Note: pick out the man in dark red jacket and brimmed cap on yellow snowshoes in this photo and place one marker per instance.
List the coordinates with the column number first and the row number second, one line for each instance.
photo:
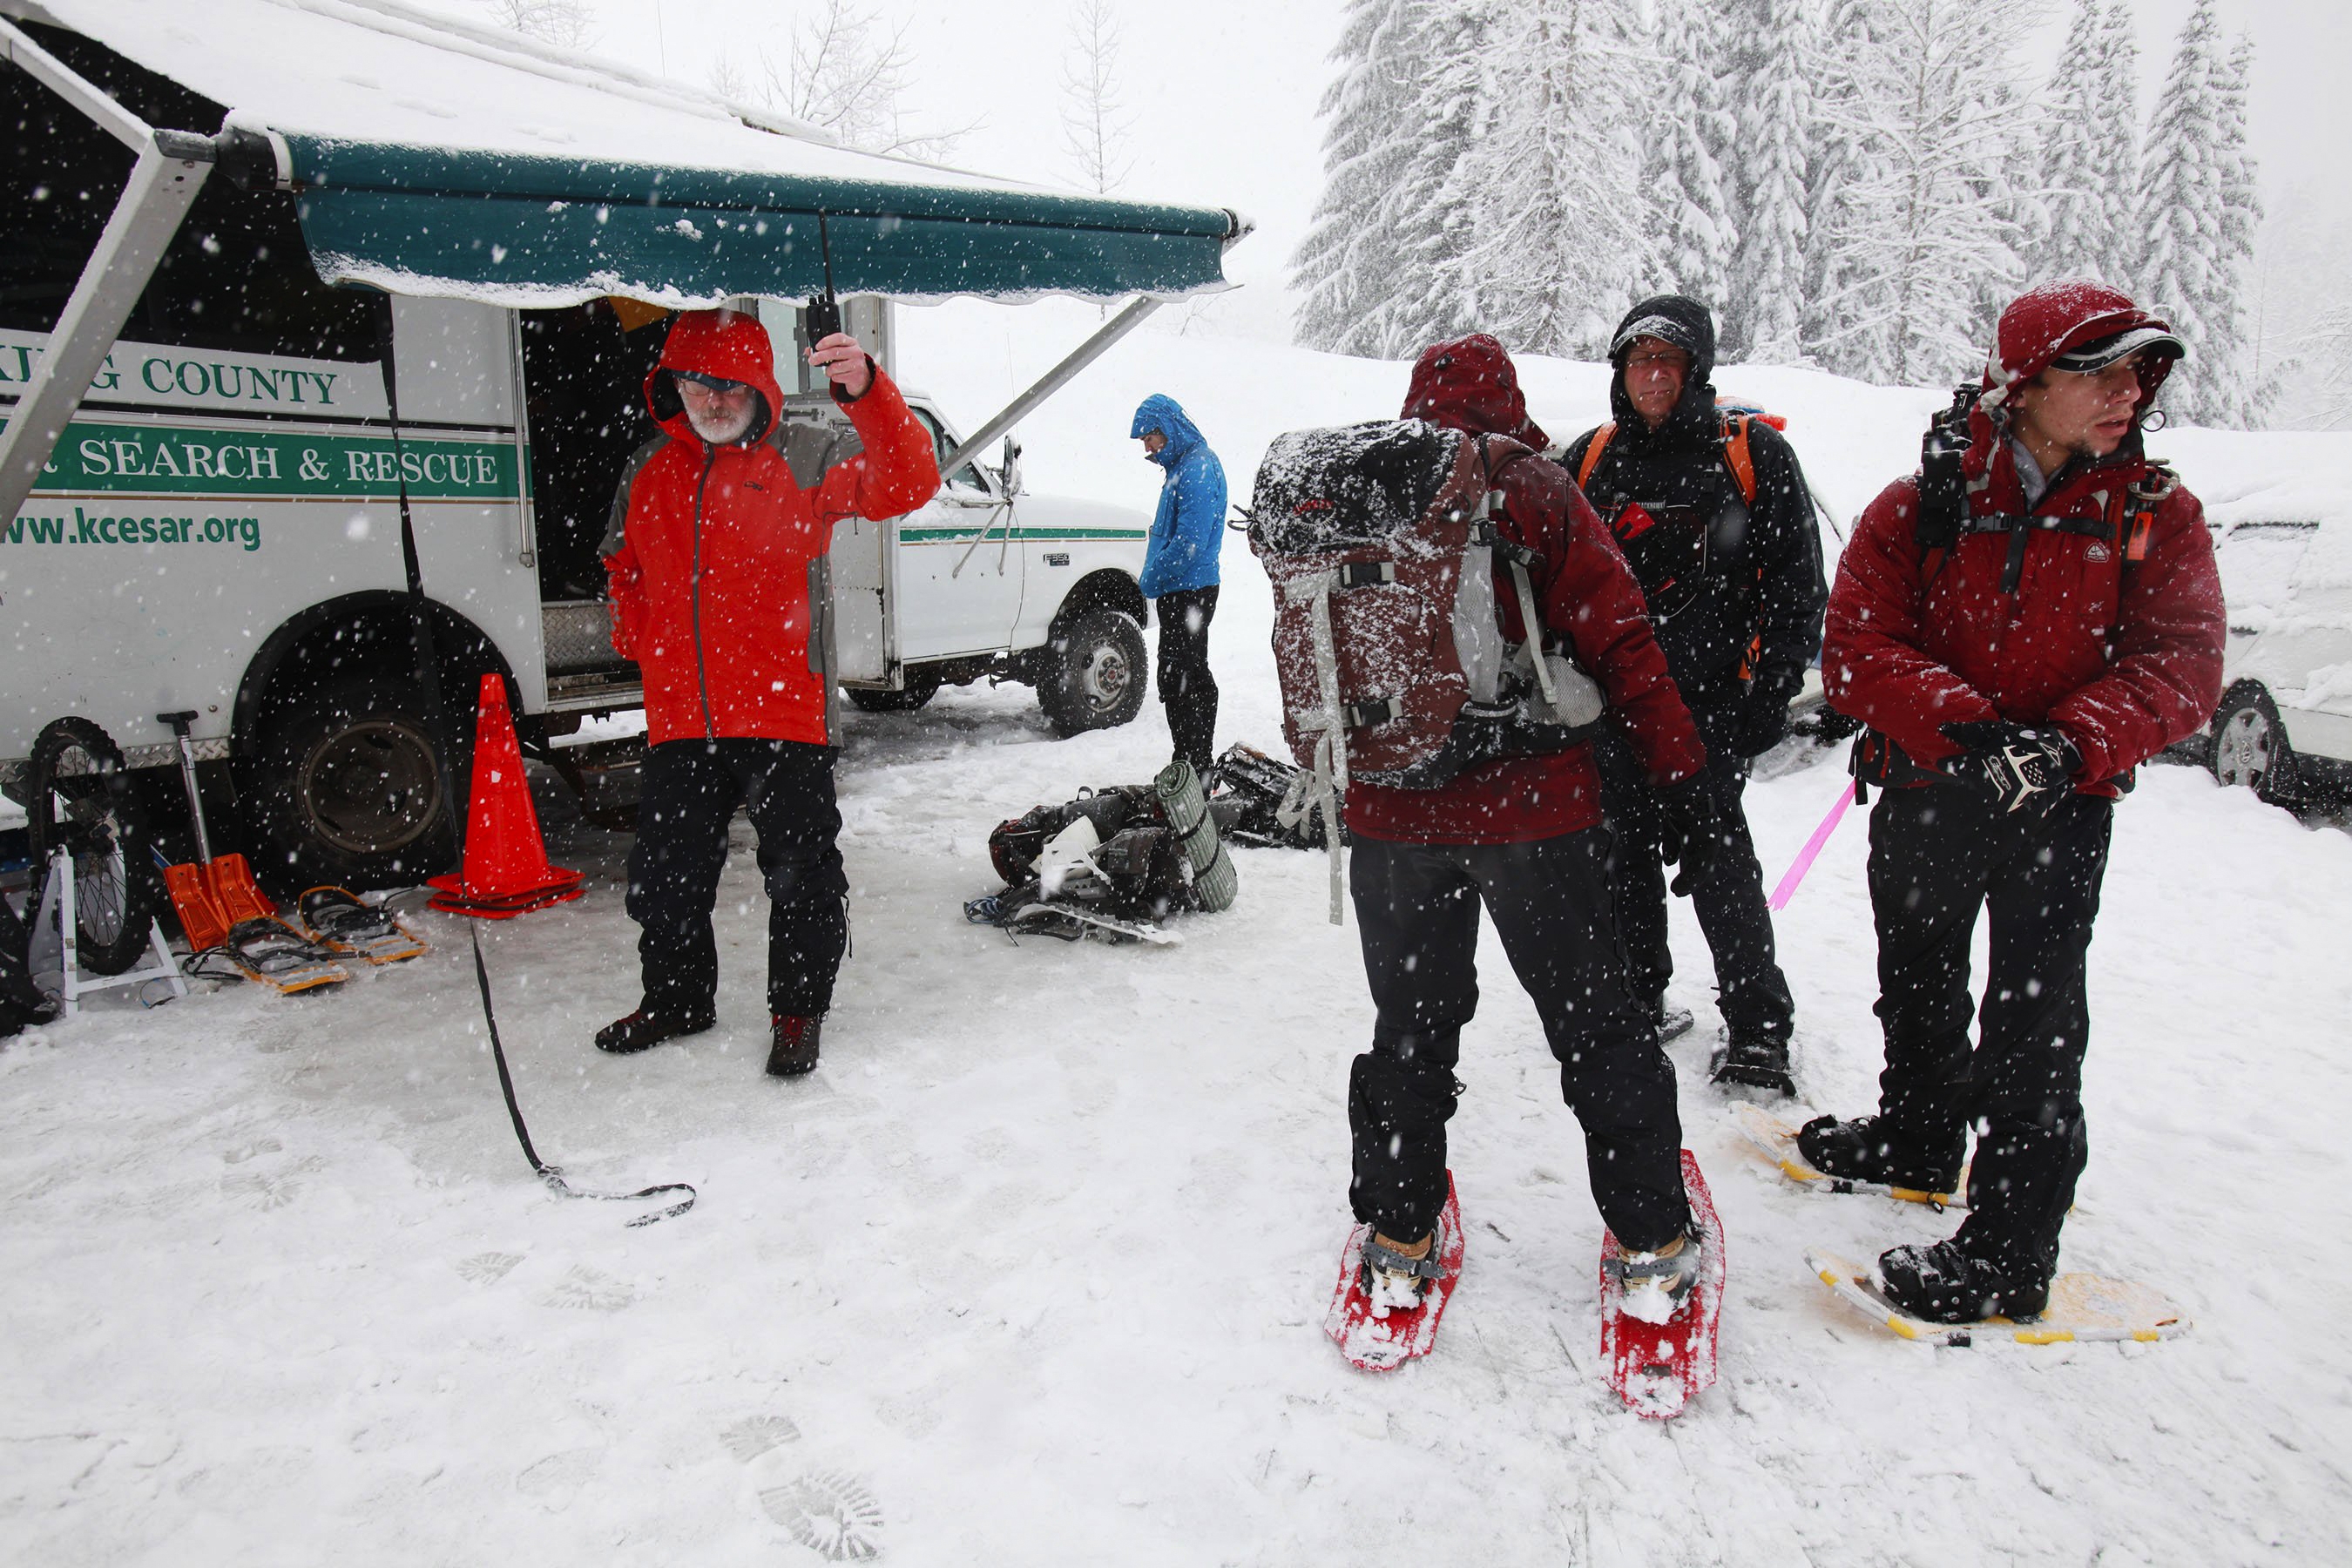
column 2014, row 666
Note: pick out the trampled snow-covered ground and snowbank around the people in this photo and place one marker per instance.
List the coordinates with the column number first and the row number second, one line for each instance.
column 1034, row 1268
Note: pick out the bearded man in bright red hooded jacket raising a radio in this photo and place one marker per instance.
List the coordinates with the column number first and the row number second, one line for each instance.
column 719, row 584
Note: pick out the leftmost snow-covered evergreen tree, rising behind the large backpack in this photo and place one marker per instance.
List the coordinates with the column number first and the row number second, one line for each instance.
column 1351, row 264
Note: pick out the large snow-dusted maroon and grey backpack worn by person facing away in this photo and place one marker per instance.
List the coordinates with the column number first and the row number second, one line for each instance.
column 1394, row 655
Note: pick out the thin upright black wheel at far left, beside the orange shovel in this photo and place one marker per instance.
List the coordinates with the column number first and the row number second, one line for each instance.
column 79, row 796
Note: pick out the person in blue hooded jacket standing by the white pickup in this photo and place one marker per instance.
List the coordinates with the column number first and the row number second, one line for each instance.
column 1180, row 570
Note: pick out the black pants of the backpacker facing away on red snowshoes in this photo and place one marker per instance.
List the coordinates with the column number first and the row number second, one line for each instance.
column 1417, row 909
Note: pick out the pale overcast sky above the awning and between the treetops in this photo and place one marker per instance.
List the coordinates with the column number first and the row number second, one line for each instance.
column 1224, row 95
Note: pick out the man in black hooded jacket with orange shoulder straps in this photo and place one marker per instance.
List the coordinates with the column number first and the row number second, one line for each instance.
column 1718, row 525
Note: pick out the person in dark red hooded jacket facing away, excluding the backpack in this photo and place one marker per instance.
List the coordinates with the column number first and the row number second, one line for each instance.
column 1525, row 838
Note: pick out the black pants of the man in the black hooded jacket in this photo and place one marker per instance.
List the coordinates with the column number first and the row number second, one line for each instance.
column 1728, row 892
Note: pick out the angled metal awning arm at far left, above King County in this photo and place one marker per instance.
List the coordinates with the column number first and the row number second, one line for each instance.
column 163, row 185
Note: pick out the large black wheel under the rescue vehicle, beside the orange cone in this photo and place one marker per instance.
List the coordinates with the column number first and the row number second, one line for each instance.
column 347, row 791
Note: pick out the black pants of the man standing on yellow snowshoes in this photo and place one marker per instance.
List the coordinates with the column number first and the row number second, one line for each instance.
column 1937, row 857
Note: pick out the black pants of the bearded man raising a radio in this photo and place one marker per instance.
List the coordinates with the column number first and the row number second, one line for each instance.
column 690, row 793
